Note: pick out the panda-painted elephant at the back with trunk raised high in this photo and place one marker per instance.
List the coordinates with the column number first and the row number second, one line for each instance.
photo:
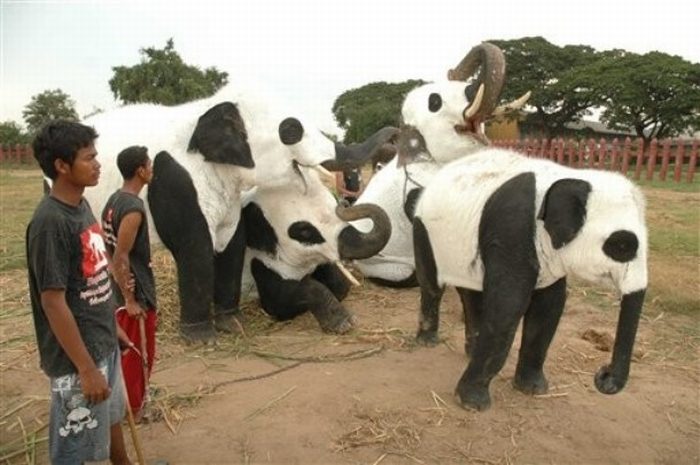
column 447, row 118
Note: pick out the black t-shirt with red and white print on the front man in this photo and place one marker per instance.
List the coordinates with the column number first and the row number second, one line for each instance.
column 65, row 250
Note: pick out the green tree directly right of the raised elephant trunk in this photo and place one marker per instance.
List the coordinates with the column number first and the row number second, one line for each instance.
column 534, row 64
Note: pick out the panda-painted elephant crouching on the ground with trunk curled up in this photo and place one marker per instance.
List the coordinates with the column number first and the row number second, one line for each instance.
column 296, row 243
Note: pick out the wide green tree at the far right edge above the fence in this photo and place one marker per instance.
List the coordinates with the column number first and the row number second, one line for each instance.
column 656, row 94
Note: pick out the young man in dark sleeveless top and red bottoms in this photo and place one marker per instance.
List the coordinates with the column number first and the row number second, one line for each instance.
column 126, row 232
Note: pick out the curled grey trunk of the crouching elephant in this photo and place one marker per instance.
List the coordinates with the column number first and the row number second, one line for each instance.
column 353, row 244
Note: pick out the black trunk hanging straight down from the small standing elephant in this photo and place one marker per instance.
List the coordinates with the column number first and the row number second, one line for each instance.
column 610, row 379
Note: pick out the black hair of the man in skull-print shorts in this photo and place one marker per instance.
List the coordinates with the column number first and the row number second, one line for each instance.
column 61, row 139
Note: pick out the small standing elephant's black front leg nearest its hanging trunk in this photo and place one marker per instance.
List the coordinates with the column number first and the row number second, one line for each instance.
column 539, row 324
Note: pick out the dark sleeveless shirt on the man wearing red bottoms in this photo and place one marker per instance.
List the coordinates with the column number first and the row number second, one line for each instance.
column 117, row 207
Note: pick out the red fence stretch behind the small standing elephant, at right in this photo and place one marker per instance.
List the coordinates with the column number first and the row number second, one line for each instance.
column 628, row 157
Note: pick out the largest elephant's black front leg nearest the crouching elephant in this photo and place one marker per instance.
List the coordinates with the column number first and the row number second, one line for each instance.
column 228, row 270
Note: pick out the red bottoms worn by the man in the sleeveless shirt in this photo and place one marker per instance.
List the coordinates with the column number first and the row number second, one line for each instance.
column 132, row 361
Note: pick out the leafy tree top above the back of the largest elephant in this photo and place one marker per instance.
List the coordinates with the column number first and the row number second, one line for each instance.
column 162, row 77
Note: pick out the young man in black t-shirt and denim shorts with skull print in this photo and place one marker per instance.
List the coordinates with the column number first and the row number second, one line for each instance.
column 72, row 305
